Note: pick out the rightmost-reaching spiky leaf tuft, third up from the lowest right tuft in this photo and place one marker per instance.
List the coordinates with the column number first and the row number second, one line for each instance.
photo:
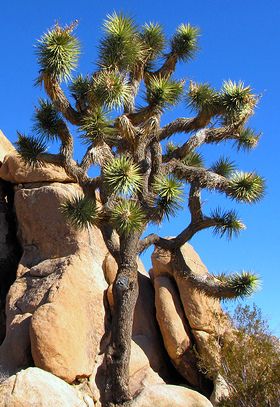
column 246, row 187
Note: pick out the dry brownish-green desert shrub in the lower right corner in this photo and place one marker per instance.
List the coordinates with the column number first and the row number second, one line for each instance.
column 249, row 361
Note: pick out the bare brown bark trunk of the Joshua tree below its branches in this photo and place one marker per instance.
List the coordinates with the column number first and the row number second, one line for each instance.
column 125, row 291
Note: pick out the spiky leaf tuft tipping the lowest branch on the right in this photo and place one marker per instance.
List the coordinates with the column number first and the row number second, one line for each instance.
column 243, row 284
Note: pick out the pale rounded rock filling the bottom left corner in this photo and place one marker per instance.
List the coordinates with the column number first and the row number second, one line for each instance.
column 37, row 388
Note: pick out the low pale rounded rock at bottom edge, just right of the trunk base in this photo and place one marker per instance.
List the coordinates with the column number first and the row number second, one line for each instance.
column 164, row 395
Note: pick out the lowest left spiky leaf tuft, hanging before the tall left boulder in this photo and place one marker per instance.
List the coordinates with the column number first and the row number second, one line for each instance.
column 80, row 211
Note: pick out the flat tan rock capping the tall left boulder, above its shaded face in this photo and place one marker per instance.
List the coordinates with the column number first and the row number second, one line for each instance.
column 16, row 171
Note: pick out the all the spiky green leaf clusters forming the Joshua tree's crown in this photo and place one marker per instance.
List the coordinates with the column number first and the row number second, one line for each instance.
column 127, row 58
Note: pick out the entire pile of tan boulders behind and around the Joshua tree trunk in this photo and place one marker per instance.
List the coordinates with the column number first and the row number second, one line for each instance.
column 57, row 295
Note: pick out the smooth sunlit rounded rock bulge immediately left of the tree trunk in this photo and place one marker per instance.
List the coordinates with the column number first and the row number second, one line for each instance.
column 67, row 330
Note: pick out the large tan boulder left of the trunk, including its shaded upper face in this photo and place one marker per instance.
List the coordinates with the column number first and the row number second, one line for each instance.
column 56, row 305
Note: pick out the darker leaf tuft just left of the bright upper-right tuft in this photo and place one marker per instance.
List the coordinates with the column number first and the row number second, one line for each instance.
column 202, row 97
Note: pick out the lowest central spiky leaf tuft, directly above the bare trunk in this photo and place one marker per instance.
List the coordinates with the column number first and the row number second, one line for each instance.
column 127, row 217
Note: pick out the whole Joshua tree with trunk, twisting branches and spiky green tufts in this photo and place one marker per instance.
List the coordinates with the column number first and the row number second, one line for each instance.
column 138, row 183
